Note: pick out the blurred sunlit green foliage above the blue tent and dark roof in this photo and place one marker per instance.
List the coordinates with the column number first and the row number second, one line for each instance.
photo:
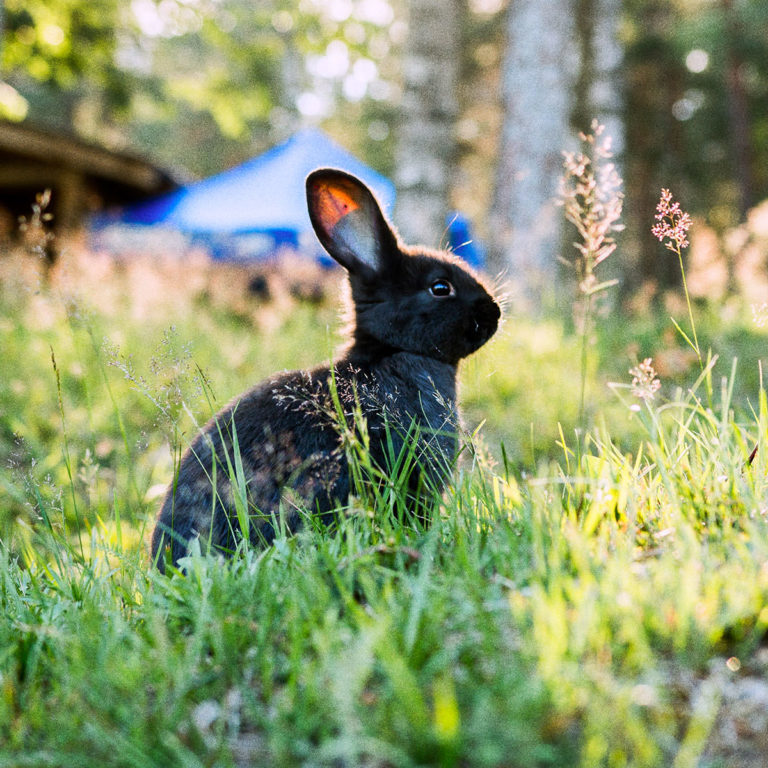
column 197, row 86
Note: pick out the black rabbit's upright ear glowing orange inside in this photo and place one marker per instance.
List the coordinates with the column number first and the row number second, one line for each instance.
column 348, row 220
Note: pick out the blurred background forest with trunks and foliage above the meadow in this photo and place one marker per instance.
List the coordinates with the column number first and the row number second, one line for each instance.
column 465, row 104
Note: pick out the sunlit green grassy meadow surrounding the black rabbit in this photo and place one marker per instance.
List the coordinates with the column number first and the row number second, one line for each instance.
column 594, row 591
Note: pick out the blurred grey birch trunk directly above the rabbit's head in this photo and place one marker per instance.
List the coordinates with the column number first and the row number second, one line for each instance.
column 426, row 146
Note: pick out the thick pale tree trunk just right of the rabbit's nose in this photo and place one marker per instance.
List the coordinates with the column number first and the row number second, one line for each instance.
column 535, row 91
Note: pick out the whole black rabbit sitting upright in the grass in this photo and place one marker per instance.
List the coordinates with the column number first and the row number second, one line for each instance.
column 415, row 313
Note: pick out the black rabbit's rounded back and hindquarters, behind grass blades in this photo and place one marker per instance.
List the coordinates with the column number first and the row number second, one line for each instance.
column 281, row 434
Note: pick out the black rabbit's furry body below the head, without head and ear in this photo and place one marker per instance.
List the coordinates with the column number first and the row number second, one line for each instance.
column 291, row 451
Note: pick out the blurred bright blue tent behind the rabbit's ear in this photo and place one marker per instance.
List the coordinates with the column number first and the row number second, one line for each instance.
column 255, row 208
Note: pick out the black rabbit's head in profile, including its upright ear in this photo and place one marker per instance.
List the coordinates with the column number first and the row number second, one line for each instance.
column 410, row 299
